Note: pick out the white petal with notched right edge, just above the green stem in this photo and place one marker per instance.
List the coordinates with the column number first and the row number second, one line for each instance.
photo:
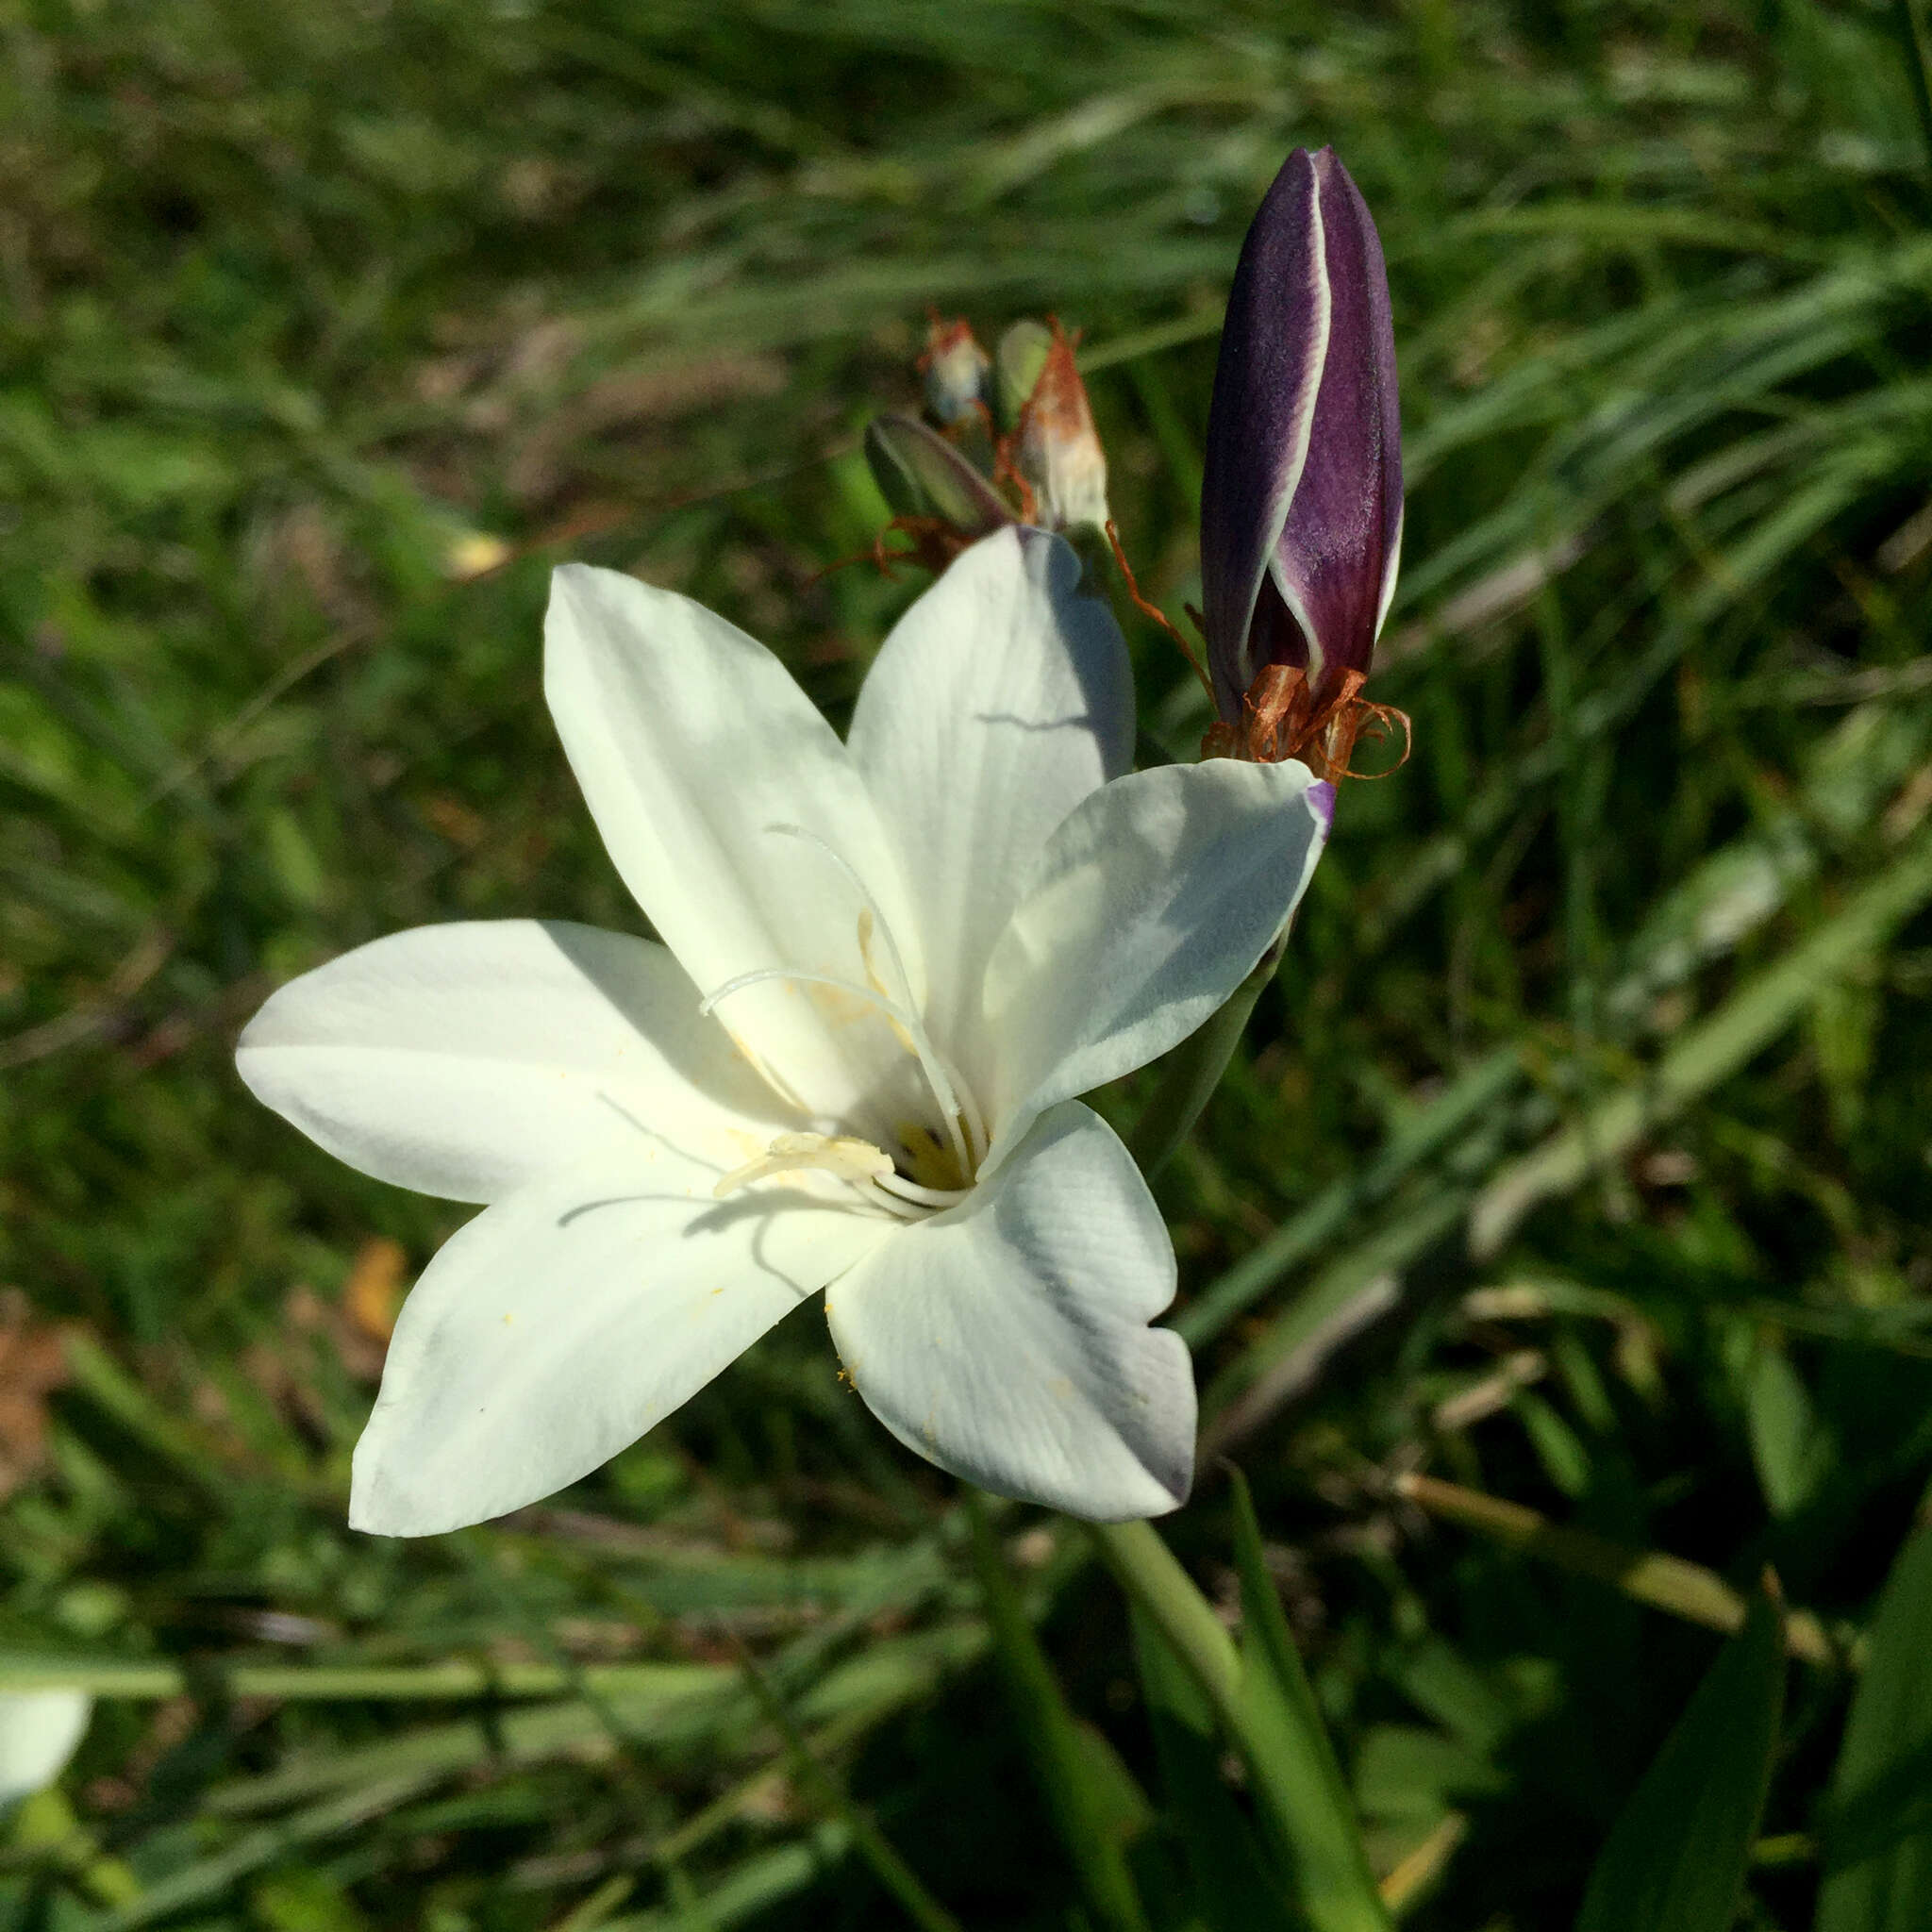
column 1008, row 1340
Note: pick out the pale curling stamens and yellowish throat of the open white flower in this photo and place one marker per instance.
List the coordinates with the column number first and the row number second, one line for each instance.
column 936, row 1164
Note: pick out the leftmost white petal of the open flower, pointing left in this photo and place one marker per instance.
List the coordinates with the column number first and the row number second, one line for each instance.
column 472, row 1060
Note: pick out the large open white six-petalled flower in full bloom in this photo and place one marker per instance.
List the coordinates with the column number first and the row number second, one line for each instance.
column 888, row 971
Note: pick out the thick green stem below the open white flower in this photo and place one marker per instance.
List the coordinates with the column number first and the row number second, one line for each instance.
column 1276, row 1728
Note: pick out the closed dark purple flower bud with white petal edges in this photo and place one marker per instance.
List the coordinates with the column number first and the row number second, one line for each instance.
column 1303, row 488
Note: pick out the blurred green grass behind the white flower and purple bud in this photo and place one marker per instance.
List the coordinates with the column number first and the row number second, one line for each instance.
column 1599, row 1064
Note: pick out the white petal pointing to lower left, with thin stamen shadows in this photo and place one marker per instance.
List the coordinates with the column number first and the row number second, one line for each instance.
column 571, row 1319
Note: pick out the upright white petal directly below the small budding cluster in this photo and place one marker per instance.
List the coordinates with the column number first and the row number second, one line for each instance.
column 1000, row 702
